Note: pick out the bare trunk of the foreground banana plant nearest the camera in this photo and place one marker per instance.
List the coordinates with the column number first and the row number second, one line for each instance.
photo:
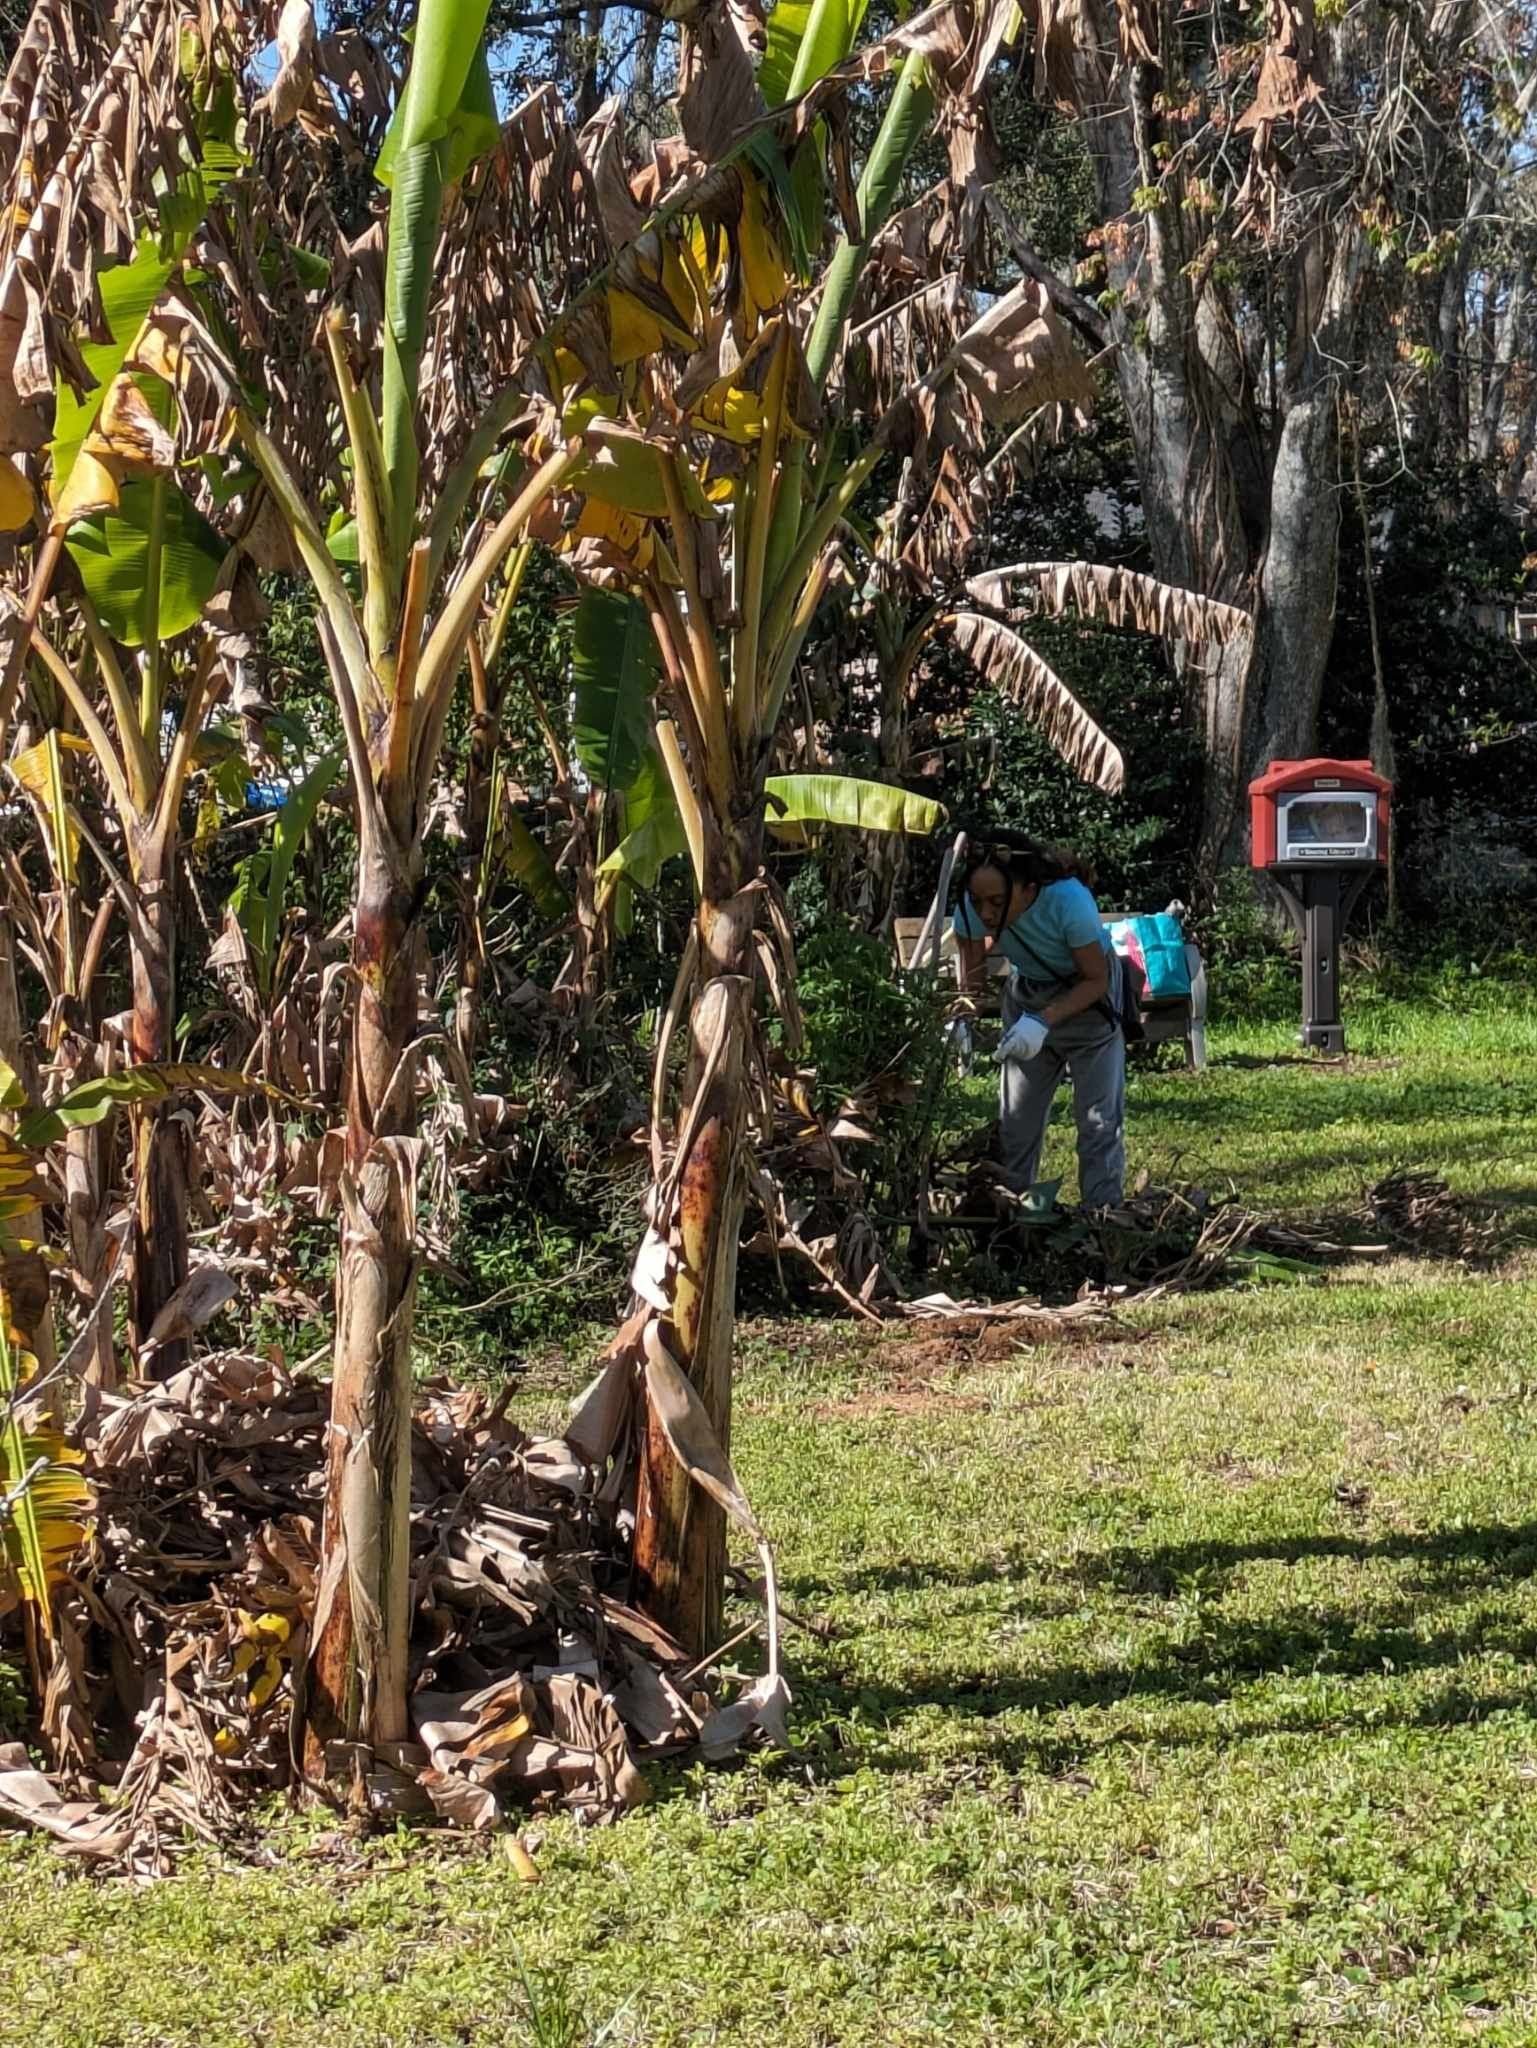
column 356, row 1684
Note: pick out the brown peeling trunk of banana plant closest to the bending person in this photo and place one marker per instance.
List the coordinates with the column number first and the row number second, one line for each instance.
column 679, row 1531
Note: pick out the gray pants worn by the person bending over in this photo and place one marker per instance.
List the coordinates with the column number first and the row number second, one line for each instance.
column 1091, row 1052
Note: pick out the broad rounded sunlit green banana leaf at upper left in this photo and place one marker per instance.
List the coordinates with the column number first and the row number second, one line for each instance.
column 114, row 558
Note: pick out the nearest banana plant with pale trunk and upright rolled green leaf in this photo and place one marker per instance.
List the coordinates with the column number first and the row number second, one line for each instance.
column 394, row 658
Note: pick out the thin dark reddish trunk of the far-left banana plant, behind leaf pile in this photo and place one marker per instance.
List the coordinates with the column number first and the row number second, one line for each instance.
column 161, row 1144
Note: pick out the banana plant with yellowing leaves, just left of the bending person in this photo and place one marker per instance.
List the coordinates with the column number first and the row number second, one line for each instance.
column 724, row 452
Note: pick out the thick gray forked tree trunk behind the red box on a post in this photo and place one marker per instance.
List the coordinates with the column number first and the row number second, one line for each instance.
column 1237, row 507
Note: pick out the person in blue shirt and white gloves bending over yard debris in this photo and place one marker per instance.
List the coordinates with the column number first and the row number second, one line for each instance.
column 1061, row 1011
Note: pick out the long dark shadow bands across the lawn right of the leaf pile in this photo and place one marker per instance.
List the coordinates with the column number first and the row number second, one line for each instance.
column 1216, row 1658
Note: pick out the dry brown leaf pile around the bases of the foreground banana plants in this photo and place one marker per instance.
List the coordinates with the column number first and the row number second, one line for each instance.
column 173, row 1699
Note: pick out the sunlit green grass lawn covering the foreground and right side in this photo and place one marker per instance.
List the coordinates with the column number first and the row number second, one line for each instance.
column 1175, row 1682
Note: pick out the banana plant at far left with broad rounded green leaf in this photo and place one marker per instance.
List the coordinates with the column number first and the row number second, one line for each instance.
column 132, row 669
